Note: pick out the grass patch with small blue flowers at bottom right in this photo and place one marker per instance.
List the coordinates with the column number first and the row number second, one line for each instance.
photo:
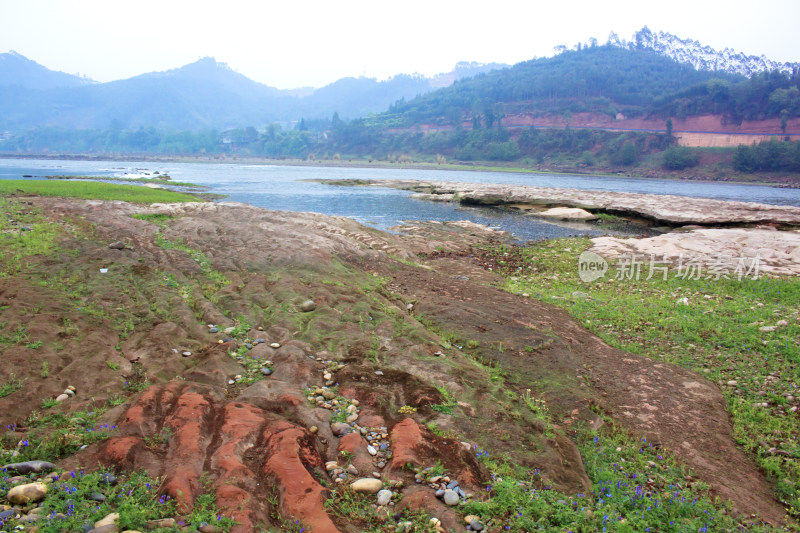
column 634, row 487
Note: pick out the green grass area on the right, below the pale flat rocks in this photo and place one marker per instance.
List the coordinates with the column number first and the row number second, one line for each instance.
column 710, row 326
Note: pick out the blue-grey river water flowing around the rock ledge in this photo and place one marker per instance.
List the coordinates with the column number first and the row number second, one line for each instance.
column 283, row 188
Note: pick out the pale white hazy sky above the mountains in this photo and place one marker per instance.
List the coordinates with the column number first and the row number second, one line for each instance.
column 298, row 43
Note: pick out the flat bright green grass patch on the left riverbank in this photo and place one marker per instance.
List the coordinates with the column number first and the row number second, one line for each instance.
column 93, row 191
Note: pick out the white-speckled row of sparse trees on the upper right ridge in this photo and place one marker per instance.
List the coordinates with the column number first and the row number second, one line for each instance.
column 699, row 56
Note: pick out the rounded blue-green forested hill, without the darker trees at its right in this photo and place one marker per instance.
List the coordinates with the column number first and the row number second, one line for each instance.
column 605, row 78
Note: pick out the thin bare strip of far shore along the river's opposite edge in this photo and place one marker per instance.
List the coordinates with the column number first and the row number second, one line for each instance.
column 794, row 181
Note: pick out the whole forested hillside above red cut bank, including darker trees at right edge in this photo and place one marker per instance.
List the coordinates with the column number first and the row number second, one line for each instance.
column 606, row 79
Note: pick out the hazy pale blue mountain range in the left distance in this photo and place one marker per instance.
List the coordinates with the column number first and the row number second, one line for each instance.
column 205, row 94
